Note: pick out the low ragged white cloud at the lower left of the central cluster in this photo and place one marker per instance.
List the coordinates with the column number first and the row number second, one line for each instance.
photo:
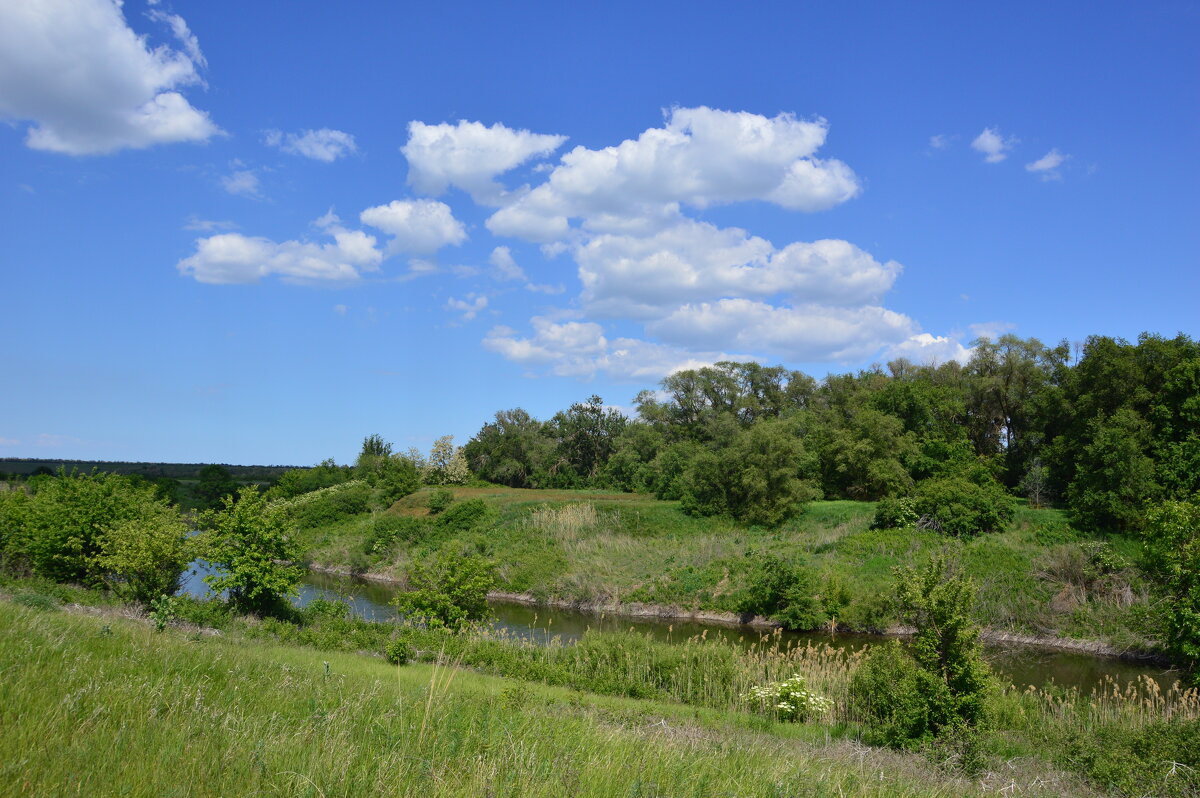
column 581, row 350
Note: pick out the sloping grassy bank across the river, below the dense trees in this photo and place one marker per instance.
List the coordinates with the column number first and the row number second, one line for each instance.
column 1037, row 578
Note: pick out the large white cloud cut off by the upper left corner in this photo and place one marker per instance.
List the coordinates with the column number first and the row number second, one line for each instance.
column 89, row 85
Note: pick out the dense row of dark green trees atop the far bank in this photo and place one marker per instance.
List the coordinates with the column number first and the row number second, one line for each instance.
column 1102, row 430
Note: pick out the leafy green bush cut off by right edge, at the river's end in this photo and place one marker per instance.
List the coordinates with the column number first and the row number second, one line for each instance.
column 1172, row 539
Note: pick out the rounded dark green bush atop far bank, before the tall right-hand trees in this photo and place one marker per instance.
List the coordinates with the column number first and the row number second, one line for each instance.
column 959, row 507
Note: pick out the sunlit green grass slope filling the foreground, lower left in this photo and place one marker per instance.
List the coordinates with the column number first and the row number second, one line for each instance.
column 106, row 707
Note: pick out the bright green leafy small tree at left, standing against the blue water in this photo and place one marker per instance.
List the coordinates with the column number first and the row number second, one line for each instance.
column 251, row 545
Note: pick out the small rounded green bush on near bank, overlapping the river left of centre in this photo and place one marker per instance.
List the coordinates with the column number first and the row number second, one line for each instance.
column 448, row 590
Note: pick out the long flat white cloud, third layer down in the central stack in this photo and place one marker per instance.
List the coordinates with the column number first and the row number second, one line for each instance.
column 801, row 334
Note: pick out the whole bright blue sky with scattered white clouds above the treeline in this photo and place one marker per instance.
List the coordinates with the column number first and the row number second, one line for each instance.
column 256, row 233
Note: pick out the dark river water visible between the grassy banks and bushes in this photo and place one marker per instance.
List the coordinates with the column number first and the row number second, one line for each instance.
column 1022, row 665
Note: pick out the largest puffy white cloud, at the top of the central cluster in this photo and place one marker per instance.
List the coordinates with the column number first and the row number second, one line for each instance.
column 700, row 158
